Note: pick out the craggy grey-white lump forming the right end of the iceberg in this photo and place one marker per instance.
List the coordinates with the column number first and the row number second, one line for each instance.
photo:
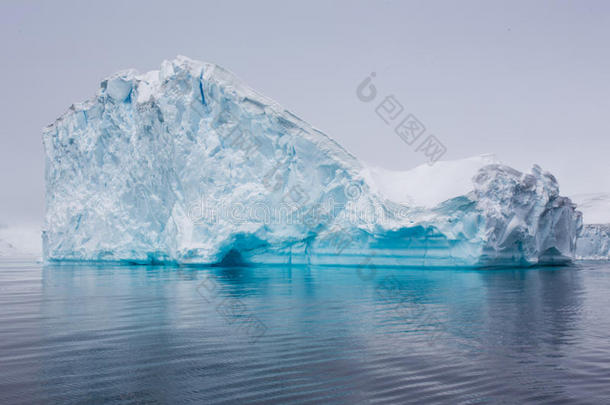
column 525, row 217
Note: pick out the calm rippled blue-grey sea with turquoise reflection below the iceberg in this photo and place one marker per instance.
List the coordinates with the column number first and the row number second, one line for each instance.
column 85, row 334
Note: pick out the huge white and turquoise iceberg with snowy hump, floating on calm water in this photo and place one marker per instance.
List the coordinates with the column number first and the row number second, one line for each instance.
column 189, row 165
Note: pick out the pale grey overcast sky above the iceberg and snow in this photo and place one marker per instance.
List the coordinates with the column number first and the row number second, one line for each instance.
column 528, row 81
